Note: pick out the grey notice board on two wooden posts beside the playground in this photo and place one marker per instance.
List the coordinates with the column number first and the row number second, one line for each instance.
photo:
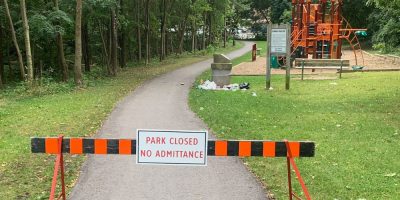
column 278, row 44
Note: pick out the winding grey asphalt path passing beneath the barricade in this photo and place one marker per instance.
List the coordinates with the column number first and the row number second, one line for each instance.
column 161, row 103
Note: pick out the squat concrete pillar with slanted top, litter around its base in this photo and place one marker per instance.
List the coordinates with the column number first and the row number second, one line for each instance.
column 221, row 70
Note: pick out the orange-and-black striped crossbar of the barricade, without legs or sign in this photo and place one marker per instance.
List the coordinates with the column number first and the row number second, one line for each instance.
column 215, row 148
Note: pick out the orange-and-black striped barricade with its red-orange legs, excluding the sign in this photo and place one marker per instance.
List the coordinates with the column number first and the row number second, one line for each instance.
column 241, row 148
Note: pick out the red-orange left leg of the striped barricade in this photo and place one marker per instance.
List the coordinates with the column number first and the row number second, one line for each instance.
column 59, row 165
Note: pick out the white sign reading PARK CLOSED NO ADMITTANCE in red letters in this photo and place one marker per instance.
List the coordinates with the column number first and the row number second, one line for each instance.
column 171, row 147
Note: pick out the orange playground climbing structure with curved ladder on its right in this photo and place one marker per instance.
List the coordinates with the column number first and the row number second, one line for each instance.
column 318, row 29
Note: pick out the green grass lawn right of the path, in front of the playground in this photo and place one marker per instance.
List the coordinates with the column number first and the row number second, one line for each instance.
column 355, row 123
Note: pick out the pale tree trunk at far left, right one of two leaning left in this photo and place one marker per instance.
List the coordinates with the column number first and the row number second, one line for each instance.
column 27, row 41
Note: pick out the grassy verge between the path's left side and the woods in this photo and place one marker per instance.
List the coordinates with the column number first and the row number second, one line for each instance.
column 59, row 108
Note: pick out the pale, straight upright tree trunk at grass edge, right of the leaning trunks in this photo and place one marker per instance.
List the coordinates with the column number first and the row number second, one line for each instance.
column 78, row 44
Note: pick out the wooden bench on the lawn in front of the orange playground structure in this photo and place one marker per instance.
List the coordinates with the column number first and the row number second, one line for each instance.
column 339, row 64
